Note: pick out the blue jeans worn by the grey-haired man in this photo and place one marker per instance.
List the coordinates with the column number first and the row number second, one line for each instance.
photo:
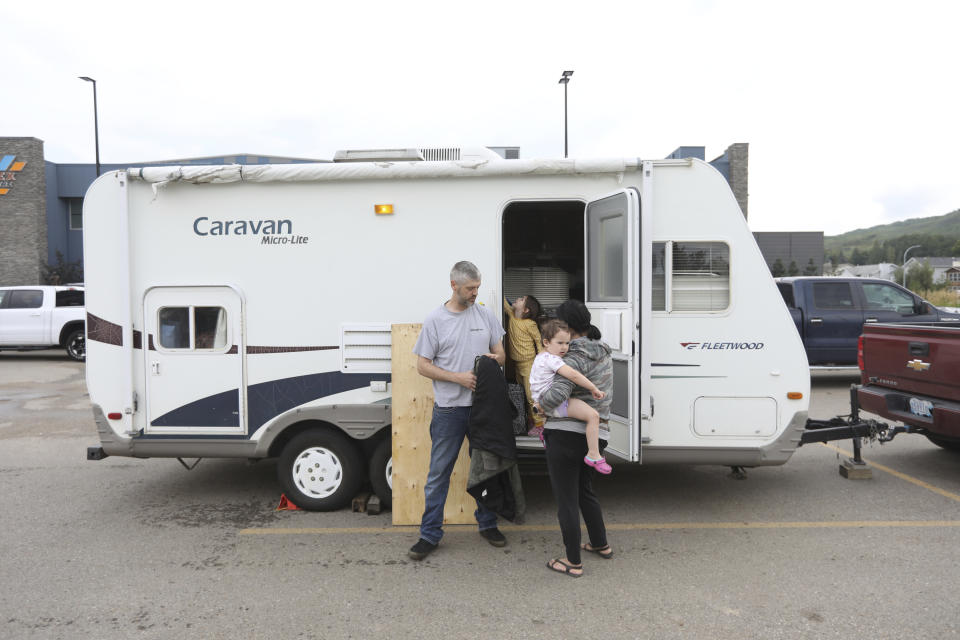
column 447, row 431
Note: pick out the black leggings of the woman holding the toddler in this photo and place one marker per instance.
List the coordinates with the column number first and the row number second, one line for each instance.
column 572, row 485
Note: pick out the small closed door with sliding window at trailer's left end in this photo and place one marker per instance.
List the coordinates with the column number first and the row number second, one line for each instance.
column 193, row 353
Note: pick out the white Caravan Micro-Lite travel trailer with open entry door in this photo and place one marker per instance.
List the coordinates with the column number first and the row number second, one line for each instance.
column 246, row 311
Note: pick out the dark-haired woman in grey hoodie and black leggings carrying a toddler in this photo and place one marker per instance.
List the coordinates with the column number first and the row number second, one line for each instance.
column 566, row 439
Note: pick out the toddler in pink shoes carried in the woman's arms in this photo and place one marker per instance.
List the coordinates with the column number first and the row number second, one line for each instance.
column 556, row 343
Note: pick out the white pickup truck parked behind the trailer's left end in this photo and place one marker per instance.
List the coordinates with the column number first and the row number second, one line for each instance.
column 41, row 317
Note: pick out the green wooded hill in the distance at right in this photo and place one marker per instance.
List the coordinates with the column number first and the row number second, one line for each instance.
column 937, row 235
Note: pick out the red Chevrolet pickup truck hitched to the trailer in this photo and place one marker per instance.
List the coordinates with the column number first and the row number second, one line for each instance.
column 911, row 373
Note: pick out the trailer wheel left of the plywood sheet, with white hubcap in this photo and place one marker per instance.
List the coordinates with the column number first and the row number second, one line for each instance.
column 320, row 470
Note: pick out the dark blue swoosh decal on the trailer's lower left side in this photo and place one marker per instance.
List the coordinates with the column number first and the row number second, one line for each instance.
column 265, row 400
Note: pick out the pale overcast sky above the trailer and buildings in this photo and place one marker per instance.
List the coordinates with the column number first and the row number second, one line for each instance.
column 850, row 108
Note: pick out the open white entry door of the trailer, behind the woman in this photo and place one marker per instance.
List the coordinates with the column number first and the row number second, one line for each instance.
column 613, row 292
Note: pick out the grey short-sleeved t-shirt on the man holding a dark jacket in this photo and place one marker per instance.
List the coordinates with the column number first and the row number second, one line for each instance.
column 452, row 341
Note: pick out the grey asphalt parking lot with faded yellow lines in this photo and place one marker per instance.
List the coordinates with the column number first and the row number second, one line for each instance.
column 143, row 548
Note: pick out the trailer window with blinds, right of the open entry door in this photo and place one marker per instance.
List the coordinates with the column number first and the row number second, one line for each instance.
column 691, row 276
